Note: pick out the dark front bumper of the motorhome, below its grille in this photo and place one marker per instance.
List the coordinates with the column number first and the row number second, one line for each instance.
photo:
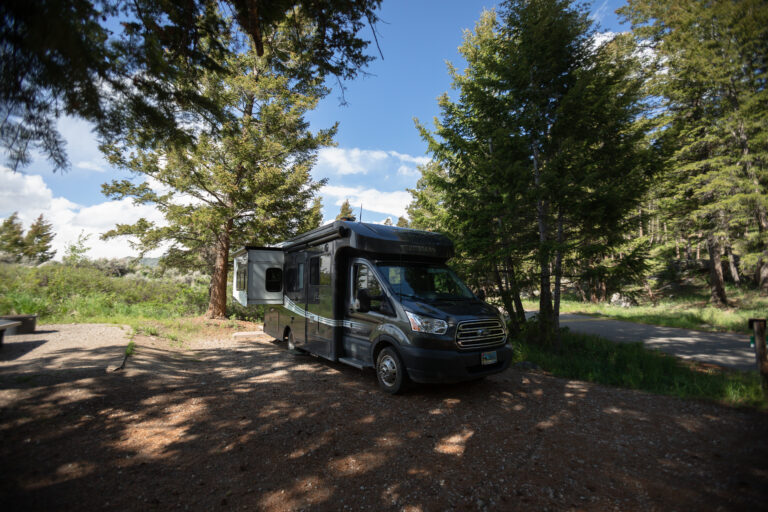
column 432, row 366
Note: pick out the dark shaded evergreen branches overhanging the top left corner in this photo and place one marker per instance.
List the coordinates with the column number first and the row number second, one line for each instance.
column 62, row 57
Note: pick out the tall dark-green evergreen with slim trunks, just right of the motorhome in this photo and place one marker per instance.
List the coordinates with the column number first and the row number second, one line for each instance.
column 542, row 154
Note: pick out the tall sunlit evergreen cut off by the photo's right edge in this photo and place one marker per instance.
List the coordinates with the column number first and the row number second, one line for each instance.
column 710, row 76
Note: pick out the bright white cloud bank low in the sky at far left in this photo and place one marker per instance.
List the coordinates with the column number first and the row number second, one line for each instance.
column 30, row 196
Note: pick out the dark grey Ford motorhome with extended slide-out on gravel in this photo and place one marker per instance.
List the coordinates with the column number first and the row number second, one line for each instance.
column 374, row 296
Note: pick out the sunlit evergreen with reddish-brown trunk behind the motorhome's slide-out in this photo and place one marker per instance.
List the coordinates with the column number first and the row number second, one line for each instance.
column 249, row 184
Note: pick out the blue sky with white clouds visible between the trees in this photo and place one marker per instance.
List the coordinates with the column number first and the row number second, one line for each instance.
column 378, row 148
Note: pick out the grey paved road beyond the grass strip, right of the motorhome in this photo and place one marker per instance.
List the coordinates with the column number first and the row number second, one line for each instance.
column 724, row 349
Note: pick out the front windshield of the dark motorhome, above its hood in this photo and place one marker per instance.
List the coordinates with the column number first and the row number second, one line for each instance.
column 424, row 281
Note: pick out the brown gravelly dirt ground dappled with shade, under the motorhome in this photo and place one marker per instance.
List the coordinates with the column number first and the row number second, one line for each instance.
column 245, row 424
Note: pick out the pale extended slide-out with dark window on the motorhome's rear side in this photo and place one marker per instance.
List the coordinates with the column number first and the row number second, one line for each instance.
column 258, row 276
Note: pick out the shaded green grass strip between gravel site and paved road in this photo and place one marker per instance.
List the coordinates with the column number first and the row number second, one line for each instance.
column 630, row 365
